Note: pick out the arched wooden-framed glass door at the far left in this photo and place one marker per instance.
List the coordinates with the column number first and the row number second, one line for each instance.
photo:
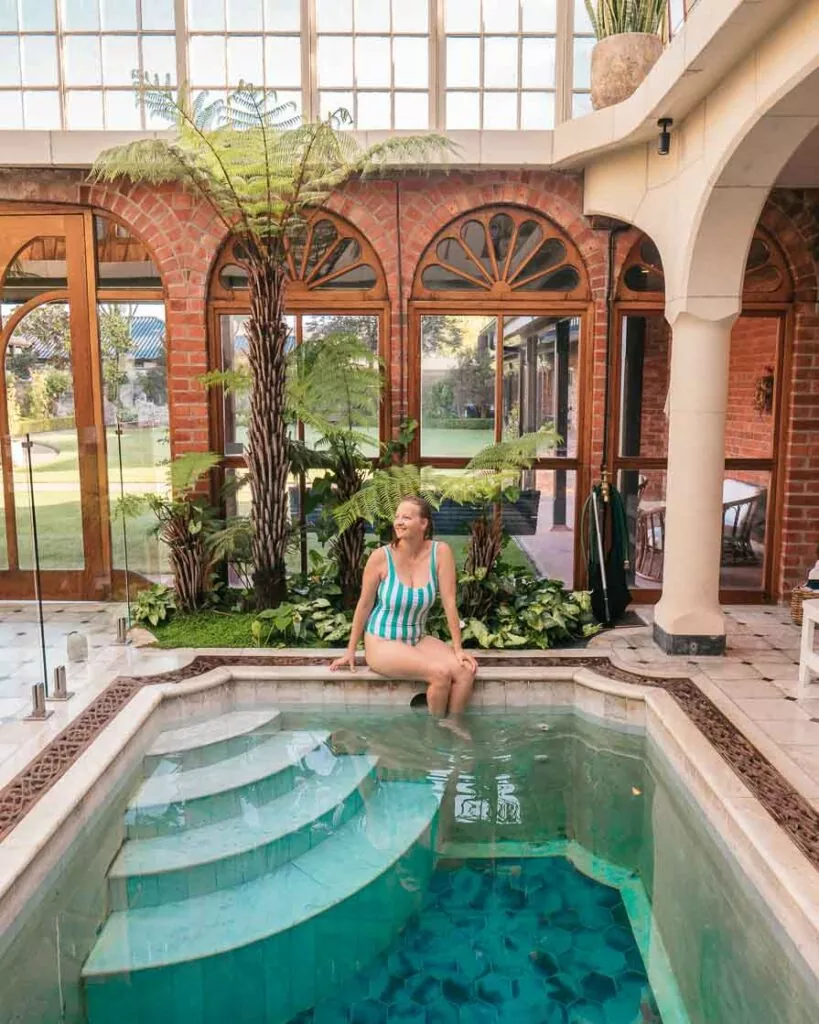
column 79, row 362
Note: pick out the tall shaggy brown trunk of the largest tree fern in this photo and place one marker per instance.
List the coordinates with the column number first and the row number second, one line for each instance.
column 269, row 461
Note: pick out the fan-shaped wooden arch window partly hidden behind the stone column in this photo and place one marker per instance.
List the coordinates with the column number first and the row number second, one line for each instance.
column 767, row 276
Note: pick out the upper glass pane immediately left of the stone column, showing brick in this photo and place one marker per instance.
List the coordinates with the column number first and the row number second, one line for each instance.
column 644, row 387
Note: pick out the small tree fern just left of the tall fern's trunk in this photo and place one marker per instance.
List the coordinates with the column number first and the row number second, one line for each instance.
column 185, row 524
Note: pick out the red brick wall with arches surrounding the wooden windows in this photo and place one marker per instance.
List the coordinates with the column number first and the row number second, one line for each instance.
column 185, row 238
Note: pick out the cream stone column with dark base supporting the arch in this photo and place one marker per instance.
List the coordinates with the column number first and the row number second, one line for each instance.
column 688, row 619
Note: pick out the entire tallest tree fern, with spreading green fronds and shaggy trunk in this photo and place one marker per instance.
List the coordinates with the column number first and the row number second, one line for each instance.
column 264, row 174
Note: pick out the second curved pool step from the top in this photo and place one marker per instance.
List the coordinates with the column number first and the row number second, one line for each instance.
column 175, row 800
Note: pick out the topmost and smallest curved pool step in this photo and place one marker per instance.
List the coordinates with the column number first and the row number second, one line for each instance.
column 215, row 739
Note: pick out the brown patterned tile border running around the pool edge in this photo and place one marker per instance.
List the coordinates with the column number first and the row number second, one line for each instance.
column 786, row 805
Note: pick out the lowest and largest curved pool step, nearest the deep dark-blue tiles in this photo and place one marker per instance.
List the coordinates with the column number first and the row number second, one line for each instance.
column 270, row 949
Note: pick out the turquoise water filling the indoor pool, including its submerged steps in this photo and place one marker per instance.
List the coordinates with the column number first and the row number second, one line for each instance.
column 323, row 867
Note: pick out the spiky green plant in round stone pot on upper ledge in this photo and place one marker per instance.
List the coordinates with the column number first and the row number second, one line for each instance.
column 629, row 47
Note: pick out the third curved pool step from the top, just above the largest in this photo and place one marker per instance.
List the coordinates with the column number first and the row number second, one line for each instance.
column 165, row 869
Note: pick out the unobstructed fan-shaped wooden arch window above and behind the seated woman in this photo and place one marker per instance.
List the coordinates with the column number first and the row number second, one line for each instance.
column 503, row 252
